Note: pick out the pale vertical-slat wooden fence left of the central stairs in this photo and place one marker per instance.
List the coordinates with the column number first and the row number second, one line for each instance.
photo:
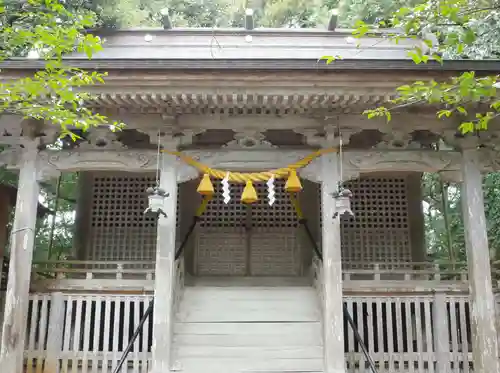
column 86, row 332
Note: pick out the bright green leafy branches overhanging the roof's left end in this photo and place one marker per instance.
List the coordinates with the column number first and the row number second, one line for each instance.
column 46, row 29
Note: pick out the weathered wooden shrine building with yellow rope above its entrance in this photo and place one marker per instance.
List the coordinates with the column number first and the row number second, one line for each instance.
column 273, row 282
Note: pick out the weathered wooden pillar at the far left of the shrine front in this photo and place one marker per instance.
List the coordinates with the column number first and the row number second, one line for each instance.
column 21, row 255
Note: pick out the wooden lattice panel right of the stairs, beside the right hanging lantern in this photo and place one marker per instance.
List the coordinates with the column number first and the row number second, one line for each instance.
column 380, row 230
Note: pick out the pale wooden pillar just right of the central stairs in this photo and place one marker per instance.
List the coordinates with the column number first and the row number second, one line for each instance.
column 333, row 320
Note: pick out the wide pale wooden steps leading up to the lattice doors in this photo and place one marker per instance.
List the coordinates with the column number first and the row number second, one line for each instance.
column 244, row 326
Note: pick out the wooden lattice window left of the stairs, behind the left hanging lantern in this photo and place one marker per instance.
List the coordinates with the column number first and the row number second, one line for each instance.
column 119, row 230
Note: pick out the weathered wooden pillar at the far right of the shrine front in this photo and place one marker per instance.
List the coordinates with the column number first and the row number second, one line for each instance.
column 484, row 337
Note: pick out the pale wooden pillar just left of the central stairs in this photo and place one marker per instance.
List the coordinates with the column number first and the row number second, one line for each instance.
column 165, row 269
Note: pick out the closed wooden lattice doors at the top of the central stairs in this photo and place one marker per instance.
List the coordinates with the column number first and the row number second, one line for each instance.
column 235, row 239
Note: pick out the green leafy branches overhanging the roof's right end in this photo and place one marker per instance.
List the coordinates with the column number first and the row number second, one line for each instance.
column 450, row 29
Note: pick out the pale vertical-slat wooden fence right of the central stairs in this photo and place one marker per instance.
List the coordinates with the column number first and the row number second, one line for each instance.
column 408, row 333
